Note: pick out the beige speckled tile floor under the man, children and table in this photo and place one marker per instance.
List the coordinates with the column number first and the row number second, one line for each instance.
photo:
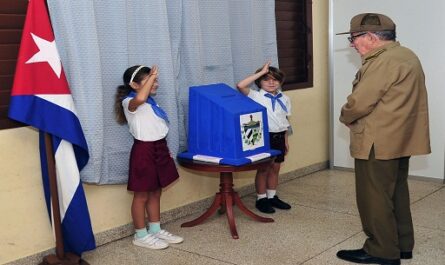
column 323, row 220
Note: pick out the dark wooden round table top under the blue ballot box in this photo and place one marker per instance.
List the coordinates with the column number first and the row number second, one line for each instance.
column 212, row 167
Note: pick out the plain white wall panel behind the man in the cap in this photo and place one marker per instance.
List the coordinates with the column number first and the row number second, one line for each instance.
column 420, row 27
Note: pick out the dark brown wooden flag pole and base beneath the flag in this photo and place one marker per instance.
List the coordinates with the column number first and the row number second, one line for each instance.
column 61, row 258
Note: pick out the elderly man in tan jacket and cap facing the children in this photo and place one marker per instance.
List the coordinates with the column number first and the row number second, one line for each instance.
column 387, row 114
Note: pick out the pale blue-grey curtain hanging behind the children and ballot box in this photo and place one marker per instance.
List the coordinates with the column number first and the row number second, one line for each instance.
column 194, row 42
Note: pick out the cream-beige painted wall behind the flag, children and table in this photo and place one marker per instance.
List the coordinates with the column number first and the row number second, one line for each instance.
column 22, row 207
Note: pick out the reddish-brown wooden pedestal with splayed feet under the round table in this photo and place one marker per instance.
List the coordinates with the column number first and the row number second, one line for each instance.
column 224, row 200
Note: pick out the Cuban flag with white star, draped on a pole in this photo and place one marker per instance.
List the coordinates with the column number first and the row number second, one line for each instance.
column 41, row 98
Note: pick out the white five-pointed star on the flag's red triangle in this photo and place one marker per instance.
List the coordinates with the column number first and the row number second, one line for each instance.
column 47, row 53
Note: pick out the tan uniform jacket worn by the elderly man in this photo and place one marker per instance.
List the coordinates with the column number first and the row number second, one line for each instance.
column 388, row 106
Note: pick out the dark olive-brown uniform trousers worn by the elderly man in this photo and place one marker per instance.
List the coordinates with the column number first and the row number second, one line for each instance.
column 383, row 202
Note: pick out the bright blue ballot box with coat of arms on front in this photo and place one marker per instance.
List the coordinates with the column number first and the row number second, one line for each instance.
column 226, row 127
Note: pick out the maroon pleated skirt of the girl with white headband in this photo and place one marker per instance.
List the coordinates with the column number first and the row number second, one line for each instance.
column 151, row 166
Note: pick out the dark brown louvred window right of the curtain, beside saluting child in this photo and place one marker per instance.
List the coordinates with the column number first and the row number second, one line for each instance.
column 294, row 40
